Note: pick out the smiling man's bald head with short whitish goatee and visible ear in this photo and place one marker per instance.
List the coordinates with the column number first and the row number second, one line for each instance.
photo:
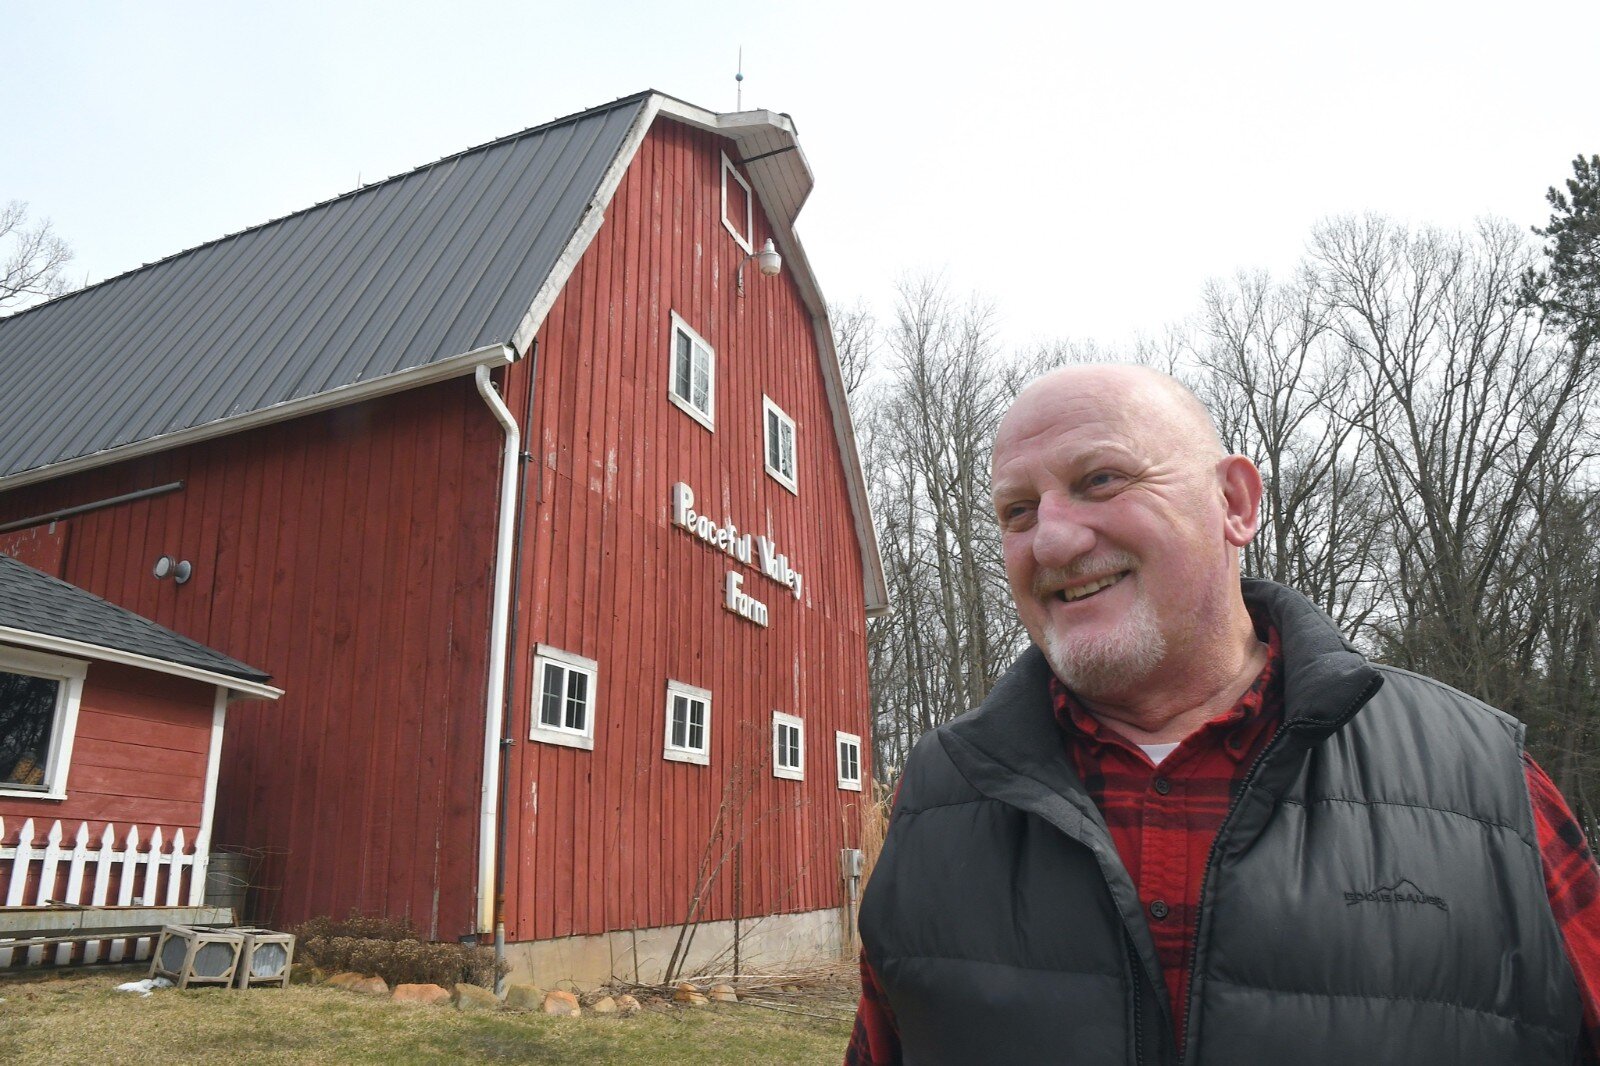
column 1121, row 521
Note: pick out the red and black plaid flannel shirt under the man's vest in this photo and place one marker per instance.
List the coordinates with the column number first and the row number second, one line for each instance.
column 1164, row 820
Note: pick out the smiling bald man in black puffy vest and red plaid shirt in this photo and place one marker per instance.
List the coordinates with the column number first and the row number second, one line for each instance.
column 1193, row 824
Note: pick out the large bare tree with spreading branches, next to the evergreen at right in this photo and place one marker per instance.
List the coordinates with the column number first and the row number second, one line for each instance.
column 1470, row 401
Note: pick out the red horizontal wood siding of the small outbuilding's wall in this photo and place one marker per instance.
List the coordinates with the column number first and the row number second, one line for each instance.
column 140, row 756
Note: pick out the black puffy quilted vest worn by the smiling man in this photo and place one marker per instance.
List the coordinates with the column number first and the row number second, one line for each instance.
column 1375, row 896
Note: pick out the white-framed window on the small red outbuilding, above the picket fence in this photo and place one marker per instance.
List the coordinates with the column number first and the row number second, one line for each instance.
column 39, row 719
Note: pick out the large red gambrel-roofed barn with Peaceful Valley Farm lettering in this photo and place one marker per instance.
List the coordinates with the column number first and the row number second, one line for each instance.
column 530, row 479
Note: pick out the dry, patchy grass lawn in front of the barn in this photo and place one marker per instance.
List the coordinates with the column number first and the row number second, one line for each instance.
column 79, row 1017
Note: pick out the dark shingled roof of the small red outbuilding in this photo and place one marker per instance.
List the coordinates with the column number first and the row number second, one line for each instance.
column 34, row 604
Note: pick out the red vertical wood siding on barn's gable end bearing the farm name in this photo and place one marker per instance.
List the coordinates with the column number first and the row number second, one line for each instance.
column 614, row 838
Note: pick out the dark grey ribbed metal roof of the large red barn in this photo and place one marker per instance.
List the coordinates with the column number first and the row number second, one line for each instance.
column 401, row 275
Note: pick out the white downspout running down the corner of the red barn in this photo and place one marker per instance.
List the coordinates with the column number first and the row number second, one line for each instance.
column 489, row 801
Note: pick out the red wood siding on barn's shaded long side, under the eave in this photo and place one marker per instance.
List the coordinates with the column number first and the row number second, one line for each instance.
column 350, row 556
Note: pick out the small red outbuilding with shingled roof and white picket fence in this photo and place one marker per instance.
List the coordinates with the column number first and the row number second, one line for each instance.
column 111, row 737
